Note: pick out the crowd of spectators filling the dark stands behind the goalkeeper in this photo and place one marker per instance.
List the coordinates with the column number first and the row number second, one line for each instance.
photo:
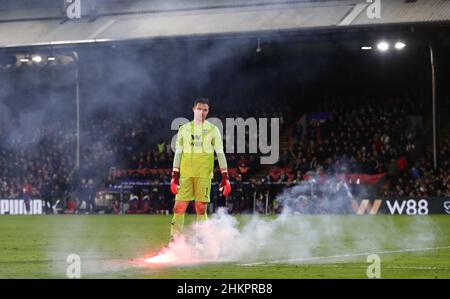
column 346, row 137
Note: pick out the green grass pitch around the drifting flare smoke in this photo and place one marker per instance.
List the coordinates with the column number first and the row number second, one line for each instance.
column 38, row 246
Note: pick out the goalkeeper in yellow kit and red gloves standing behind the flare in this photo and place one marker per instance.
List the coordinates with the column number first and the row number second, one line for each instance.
column 193, row 166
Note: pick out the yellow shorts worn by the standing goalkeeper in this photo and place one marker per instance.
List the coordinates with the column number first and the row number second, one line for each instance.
column 194, row 188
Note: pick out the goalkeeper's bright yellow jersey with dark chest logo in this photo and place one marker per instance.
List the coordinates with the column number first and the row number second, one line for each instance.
column 197, row 142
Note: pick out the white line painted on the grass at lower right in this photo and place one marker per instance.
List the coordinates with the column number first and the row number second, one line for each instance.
column 342, row 256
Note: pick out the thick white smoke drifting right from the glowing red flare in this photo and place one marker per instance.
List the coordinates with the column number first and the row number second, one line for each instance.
column 294, row 236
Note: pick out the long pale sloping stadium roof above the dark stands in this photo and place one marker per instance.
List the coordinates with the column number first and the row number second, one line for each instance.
column 27, row 23
